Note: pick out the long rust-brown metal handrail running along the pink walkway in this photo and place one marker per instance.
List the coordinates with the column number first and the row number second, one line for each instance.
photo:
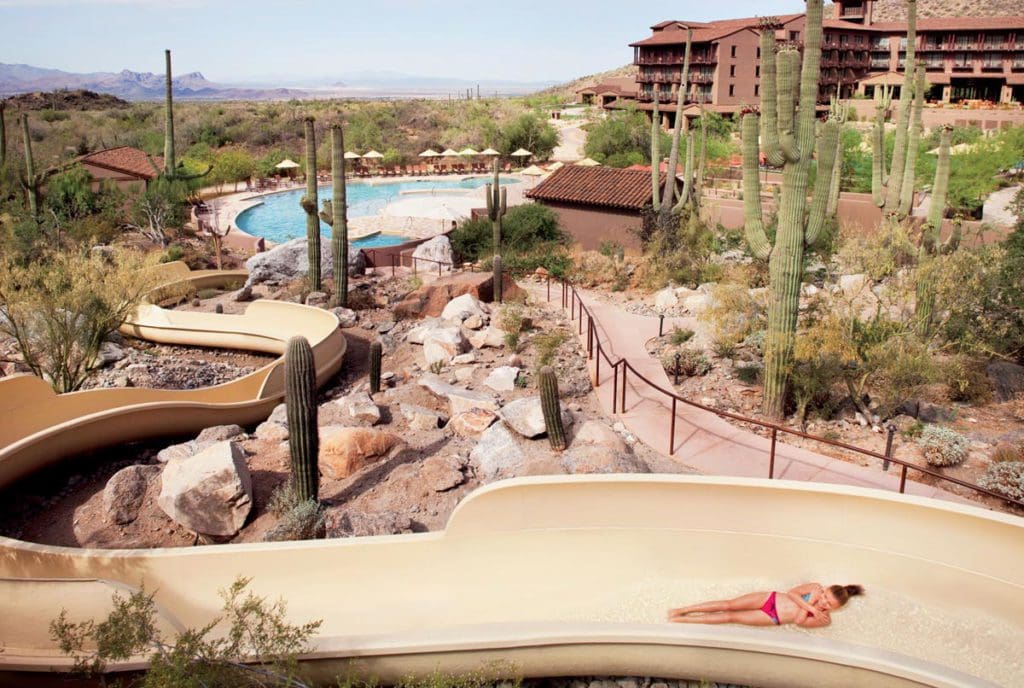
column 571, row 295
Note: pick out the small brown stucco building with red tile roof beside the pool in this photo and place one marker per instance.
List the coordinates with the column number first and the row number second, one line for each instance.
column 598, row 204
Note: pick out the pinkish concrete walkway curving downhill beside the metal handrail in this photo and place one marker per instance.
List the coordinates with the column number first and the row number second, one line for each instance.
column 703, row 440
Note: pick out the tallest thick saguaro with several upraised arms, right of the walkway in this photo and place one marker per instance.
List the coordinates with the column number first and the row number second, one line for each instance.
column 799, row 227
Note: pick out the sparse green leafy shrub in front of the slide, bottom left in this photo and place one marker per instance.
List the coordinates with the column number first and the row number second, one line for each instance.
column 260, row 649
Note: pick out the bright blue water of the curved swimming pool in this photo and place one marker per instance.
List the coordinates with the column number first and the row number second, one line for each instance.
column 280, row 219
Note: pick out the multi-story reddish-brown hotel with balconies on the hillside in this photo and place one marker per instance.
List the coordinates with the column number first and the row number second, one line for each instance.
column 966, row 59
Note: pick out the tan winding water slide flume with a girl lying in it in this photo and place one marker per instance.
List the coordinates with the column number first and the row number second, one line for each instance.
column 550, row 576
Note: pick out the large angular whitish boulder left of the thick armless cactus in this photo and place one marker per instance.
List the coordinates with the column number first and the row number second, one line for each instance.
column 209, row 493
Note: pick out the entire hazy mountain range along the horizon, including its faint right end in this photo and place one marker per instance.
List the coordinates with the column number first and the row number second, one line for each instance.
column 16, row 79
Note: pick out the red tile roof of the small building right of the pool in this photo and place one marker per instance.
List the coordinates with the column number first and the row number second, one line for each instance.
column 608, row 187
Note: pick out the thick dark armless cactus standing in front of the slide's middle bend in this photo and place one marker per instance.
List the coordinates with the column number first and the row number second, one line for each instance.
column 301, row 401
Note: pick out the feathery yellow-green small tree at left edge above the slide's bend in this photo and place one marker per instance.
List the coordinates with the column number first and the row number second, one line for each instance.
column 61, row 309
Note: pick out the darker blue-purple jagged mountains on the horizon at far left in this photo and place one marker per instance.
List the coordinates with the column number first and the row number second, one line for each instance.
column 130, row 85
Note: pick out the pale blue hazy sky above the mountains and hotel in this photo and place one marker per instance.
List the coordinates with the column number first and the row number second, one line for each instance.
column 289, row 40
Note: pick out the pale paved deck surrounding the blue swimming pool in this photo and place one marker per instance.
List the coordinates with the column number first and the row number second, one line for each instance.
column 414, row 216
